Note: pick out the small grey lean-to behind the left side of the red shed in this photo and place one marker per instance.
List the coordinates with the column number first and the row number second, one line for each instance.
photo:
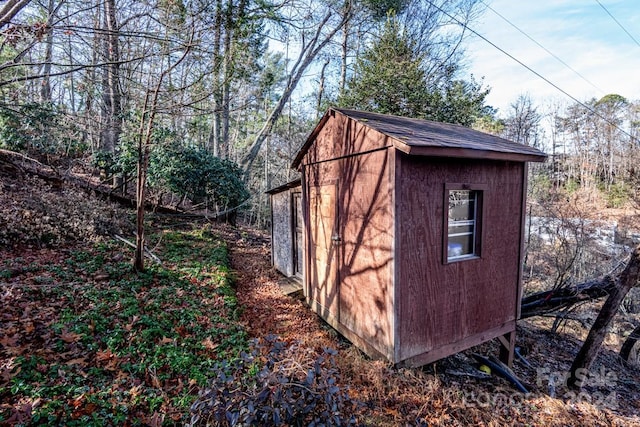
column 287, row 229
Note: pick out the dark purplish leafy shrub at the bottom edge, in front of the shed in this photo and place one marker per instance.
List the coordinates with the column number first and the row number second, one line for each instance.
column 272, row 387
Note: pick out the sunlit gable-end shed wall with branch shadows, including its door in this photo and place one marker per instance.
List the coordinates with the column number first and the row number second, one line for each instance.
column 357, row 295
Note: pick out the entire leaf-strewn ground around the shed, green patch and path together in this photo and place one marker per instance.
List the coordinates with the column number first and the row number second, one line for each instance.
column 86, row 341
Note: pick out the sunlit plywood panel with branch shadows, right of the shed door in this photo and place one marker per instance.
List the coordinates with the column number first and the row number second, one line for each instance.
column 366, row 235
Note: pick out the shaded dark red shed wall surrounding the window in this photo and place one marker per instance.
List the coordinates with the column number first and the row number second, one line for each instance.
column 440, row 303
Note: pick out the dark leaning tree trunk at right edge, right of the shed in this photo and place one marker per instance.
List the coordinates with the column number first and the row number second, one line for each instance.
column 587, row 354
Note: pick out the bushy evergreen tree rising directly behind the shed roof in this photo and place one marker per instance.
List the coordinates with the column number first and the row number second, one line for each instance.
column 391, row 78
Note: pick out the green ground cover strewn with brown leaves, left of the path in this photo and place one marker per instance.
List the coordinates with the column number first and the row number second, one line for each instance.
column 86, row 341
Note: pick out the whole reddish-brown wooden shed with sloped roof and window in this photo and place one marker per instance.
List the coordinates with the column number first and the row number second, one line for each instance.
column 413, row 233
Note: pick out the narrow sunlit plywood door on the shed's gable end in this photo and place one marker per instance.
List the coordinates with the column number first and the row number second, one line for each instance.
column 323, row 272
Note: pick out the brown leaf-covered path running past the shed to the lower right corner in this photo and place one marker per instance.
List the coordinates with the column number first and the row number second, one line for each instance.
column 451, row 391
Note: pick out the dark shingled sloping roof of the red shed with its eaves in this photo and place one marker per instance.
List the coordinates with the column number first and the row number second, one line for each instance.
column 429, row 138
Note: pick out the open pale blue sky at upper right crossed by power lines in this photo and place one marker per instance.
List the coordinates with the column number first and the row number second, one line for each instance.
column 594, row 56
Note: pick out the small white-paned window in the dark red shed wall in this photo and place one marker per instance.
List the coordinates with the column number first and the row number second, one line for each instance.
column 463, row 237
